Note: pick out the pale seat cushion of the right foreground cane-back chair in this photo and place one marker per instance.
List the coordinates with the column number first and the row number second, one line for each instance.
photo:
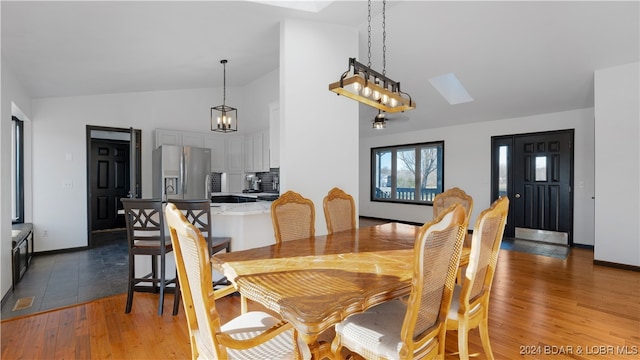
column 375, row 333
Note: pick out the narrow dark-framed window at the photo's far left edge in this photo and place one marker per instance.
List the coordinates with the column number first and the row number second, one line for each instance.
column 17, row 170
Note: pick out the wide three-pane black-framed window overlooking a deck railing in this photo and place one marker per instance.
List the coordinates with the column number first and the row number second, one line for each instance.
column 407, row 173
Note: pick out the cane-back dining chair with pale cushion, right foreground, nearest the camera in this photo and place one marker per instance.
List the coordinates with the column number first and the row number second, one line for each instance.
column 415, row 328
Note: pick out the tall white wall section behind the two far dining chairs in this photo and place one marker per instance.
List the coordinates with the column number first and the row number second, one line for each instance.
column 318, row 129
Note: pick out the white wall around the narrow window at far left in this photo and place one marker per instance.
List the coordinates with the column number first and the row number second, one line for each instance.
column 14, row 100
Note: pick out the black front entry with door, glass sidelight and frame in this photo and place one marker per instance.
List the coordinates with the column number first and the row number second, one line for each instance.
column 535, row 171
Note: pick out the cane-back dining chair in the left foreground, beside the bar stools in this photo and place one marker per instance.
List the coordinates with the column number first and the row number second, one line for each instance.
column 254, row 335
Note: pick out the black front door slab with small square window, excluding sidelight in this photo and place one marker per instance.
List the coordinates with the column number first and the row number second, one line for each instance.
column 542, row 178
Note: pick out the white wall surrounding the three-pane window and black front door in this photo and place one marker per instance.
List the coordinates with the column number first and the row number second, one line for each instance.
column 467, row 164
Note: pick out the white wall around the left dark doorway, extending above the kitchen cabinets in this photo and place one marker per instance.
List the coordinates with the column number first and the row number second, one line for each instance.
column 59, row 144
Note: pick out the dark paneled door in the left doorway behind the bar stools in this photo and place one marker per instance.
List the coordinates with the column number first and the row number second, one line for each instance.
column 110, row 173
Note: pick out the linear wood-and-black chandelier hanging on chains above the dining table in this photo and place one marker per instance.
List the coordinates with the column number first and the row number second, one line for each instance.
column 370, row 87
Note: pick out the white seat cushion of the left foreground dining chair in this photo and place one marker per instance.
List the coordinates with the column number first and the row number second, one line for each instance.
column 253, row 323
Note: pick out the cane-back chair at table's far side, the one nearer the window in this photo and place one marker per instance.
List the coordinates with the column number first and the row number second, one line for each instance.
column 339, row 211
